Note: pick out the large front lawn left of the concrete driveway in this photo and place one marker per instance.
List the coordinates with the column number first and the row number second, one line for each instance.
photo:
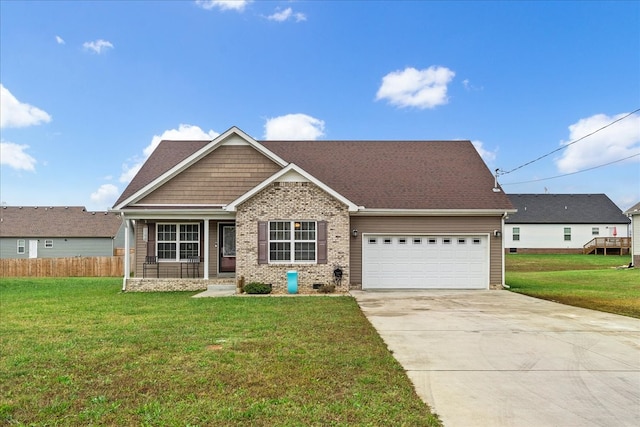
column 79, row 352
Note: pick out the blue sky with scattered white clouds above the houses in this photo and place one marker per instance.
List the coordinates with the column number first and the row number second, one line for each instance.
column 90, row 88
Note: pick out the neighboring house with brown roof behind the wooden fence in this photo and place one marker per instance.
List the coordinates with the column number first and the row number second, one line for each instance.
column 58, row 232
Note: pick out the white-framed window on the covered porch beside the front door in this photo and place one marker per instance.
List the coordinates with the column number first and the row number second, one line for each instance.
column 178, row 241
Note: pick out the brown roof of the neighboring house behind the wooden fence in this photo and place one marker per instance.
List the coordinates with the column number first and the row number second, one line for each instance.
column 57, row 221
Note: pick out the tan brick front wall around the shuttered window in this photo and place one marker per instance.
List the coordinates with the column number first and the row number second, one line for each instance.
column 292, row 201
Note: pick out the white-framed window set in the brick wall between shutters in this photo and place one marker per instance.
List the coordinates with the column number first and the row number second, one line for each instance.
column 292, row 241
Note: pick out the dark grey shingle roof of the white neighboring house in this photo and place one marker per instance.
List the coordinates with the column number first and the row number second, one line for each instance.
column 565, row 209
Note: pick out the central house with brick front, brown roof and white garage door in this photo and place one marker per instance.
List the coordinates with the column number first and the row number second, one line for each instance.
column 389, row 214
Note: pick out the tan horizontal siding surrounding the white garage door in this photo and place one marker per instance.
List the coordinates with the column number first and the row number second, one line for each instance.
column 411, row 225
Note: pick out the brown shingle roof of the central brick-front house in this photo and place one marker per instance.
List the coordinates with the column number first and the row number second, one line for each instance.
column 374, row 174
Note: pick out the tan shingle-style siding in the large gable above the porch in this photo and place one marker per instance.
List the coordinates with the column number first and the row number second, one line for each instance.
column 219, row 178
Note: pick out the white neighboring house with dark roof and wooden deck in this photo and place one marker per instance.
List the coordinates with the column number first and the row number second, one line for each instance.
column 565, row 223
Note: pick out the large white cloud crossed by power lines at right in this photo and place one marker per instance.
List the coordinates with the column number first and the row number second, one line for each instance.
column 620, row 140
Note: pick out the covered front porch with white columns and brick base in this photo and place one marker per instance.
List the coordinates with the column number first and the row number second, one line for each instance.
column 186, row 252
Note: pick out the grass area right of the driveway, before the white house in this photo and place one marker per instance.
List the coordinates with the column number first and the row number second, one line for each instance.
column 589, row 281
